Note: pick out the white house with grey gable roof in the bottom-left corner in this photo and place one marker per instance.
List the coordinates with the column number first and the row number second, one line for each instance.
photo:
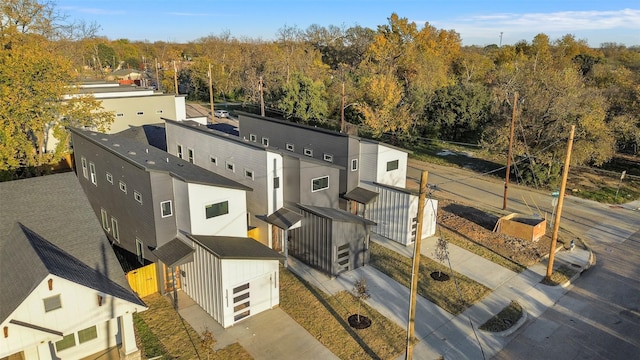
column 63, row 293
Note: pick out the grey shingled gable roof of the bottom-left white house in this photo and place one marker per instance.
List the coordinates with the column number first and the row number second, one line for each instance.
column 47, row 226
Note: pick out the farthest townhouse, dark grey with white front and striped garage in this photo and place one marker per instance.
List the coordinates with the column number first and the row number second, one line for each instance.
column 372, row 176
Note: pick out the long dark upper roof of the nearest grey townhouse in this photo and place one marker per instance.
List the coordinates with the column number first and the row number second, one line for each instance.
column 151, row 159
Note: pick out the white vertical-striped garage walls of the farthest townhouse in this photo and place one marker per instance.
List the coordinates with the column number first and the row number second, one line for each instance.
column 395, row 211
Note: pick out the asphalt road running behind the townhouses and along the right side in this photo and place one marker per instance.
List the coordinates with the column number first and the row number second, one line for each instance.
column 599, row 318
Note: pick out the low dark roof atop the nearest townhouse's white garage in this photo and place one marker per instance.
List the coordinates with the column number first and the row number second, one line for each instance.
column 238, row 248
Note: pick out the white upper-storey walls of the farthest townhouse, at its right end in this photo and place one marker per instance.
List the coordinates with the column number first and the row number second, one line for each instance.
column 374, row 158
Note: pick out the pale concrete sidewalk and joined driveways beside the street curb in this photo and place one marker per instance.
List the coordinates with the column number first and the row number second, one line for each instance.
column 440, row 333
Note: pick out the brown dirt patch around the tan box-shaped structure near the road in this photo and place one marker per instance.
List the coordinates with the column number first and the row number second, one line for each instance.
column 477, row 226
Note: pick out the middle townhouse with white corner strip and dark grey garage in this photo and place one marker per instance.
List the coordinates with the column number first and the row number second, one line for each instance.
column 288, row 188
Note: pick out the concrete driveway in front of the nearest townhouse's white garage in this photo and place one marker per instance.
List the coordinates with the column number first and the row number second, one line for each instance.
column 272, row 334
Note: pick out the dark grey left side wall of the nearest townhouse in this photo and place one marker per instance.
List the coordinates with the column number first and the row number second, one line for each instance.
column 135, row 220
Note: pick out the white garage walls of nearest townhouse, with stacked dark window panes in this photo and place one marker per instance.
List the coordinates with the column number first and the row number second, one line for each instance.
column 231, row 290
